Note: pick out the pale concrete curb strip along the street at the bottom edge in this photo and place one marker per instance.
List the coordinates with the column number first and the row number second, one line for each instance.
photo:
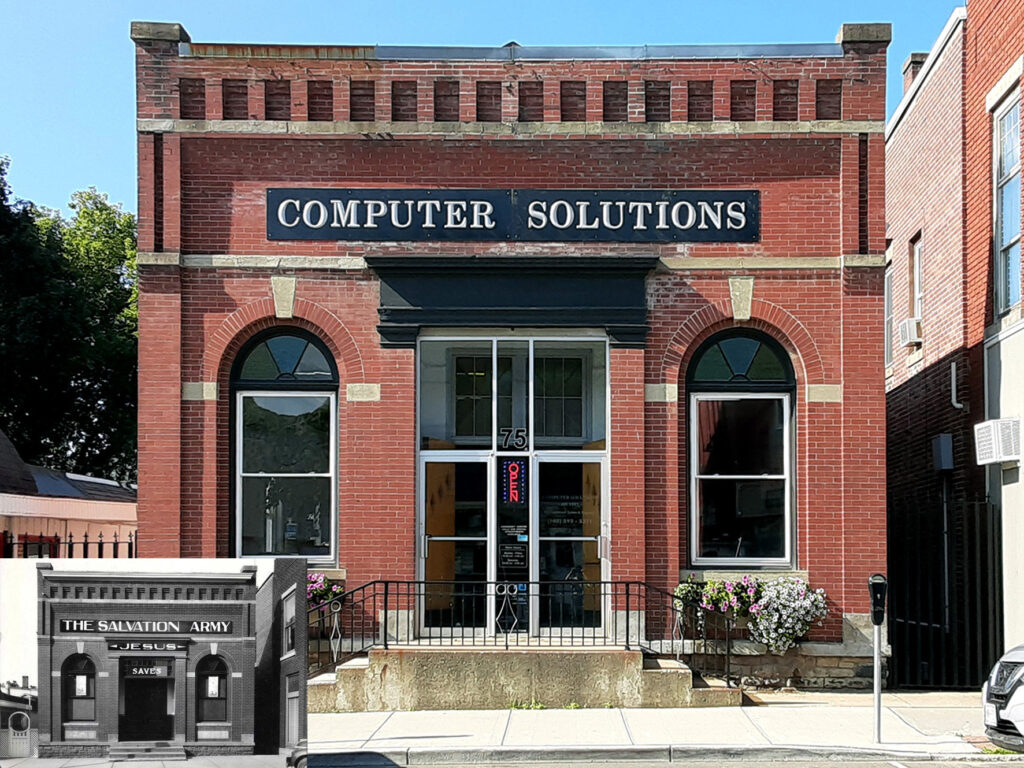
column 415, row 756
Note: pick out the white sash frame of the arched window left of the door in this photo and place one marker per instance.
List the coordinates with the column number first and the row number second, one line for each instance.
column 332, row 473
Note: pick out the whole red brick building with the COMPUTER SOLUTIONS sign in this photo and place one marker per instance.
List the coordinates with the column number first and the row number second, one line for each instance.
column 516, row 313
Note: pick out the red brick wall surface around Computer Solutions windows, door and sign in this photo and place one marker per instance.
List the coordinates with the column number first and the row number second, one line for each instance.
column 206, row 266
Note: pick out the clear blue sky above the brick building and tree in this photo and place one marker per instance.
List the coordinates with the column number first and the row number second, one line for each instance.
column 68, row 101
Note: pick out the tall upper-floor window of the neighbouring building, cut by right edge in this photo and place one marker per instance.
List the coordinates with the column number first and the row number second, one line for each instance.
column 1008, row 205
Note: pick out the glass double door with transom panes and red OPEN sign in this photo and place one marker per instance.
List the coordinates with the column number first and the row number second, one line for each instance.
column 513, row 472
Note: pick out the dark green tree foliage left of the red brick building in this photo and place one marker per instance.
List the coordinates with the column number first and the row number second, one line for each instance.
column 69, row 333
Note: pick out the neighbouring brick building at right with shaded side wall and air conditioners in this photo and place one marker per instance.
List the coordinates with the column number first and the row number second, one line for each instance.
column 954, row 356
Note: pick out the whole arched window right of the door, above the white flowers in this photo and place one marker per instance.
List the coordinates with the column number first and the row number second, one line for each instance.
column 741, row 387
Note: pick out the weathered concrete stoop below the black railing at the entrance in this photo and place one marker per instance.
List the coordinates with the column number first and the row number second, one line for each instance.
column 493, row 679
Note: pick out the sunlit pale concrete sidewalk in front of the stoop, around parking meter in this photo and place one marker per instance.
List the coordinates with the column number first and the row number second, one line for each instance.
column 775, row 727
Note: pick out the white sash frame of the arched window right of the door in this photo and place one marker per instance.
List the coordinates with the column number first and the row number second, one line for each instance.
column 695, row 529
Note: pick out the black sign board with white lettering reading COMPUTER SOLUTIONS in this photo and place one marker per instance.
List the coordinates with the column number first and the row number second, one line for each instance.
column 535, row 216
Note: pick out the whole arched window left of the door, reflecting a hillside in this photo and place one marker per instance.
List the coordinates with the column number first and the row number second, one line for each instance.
column 285, row 387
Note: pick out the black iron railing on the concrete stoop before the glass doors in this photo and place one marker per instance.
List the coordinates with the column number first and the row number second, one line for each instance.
column 633, row 616
